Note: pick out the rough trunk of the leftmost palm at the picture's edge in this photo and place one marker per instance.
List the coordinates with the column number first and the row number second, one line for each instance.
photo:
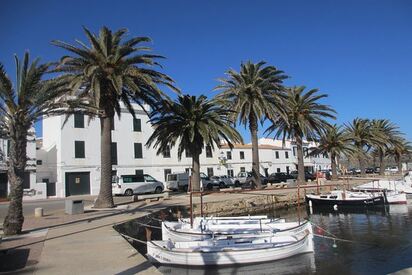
column 13, row 223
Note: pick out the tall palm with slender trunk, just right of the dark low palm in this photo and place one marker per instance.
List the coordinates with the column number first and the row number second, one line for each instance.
column 254, row 94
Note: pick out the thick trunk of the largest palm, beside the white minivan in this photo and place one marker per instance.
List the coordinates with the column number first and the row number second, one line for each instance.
column 105, row 197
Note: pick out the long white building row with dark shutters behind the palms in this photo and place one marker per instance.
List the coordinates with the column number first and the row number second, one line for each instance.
column 69, row 157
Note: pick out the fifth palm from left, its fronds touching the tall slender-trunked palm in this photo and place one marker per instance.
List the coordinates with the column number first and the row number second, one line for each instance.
column 304, row 117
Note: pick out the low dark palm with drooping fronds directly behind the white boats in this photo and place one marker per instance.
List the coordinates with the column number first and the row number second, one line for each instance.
column 191, row 123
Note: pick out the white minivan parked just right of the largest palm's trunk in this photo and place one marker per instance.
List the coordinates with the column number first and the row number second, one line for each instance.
column 136, row 184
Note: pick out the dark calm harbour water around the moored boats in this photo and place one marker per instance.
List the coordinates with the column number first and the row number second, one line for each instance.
column 379, row 242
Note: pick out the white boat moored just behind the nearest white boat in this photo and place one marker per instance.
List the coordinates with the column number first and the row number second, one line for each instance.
column 177, row 231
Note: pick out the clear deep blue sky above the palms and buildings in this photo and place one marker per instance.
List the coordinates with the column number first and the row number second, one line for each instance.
column 358, row 52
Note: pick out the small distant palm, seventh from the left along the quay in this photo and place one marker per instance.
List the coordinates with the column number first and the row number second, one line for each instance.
column 361, row 133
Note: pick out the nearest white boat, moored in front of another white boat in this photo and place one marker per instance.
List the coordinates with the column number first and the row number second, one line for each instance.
column 229, row 251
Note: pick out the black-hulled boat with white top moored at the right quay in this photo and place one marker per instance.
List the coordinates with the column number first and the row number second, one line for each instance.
column 345, row 199
